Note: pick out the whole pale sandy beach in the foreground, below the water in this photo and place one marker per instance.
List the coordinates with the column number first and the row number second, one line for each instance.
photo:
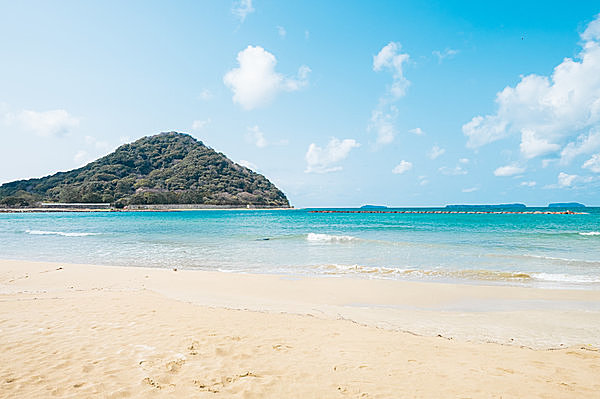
column 91, row 331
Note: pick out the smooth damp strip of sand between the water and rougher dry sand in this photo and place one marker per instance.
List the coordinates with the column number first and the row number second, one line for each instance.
column 538, row 318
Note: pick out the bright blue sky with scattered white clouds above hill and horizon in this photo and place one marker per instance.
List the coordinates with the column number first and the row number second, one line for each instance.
column 399, row 103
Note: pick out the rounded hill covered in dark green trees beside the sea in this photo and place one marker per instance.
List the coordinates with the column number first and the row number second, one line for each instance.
column 168, row 168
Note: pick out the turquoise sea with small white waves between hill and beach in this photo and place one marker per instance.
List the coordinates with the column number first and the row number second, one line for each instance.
column 534, row 250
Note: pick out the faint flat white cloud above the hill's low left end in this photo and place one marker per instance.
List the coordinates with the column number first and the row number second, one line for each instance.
column 47, row 123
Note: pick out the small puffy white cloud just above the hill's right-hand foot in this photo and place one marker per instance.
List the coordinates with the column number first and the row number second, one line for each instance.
column 324, row 160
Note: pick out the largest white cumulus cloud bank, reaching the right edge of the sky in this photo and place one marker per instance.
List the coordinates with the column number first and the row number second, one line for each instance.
column 548, row 112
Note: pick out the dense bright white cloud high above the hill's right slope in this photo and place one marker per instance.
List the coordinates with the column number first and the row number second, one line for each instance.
column 255, row 83
